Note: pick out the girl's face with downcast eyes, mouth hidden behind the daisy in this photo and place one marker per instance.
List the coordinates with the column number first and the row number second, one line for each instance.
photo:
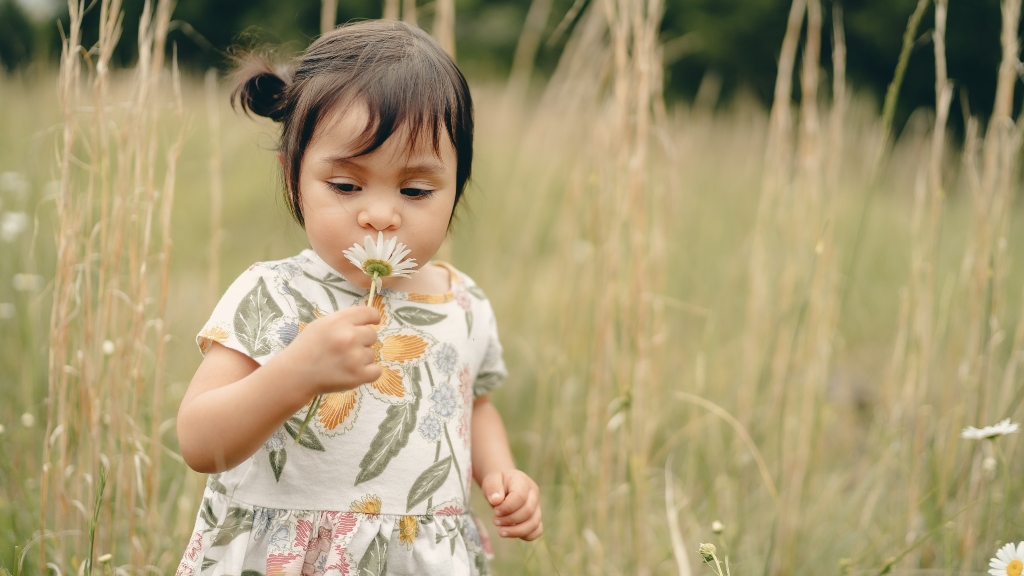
column 402, row 189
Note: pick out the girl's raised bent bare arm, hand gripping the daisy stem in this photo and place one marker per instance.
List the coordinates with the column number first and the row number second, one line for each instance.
column 233, row 404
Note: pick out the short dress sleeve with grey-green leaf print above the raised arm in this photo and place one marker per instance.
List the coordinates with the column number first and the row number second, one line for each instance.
column 254, row 317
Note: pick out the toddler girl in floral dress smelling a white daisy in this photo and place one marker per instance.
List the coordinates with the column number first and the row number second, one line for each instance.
column 376, row 147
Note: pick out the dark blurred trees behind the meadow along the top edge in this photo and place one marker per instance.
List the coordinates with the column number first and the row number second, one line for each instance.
column 733, row 46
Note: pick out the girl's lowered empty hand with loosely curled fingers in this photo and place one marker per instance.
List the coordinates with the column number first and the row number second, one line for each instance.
column 517, row 501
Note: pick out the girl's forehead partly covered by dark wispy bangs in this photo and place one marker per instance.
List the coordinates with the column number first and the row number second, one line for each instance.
column 349, row 132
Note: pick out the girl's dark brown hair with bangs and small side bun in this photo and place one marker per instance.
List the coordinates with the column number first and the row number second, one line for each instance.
column 406, row 79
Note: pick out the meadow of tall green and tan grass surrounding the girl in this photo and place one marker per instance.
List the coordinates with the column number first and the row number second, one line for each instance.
column 759, row 328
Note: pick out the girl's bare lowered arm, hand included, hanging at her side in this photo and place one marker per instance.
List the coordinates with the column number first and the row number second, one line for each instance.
column 515, row 496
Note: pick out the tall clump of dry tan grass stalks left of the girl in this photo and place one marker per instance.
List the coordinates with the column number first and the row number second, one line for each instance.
column 108, row 335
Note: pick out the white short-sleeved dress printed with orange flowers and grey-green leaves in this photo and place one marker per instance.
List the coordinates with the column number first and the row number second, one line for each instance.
column 379, row 481
